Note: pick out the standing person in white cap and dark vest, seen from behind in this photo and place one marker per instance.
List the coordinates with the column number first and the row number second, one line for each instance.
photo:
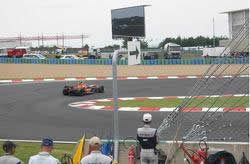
column 147, row 138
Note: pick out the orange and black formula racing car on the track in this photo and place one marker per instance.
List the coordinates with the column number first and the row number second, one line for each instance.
column 82, row 89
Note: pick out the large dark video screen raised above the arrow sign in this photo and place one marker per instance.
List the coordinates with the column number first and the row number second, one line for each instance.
column 128, row 22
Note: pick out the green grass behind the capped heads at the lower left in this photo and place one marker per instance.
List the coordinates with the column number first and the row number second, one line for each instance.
column 25, row 150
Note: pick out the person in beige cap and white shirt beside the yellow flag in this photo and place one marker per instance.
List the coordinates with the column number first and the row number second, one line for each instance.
column 96, row 156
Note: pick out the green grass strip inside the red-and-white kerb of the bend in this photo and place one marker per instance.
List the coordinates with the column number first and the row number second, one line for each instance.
column 173, row 102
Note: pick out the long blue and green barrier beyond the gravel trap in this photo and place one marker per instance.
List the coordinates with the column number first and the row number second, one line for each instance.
column 193, row 61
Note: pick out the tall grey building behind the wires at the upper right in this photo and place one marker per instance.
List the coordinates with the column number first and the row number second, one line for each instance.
column 236, row 20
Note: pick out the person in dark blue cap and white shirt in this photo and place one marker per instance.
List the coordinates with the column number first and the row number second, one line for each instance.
column 44, row 156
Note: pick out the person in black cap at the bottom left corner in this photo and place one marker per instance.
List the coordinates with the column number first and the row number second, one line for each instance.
column 10, row 150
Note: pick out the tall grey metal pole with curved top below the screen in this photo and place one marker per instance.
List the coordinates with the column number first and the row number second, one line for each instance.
column 116, row 112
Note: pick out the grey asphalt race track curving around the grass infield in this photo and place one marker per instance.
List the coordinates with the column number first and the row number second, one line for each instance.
column 36, row 110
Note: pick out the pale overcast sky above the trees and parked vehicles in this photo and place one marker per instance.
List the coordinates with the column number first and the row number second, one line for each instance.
column 164, row 18
